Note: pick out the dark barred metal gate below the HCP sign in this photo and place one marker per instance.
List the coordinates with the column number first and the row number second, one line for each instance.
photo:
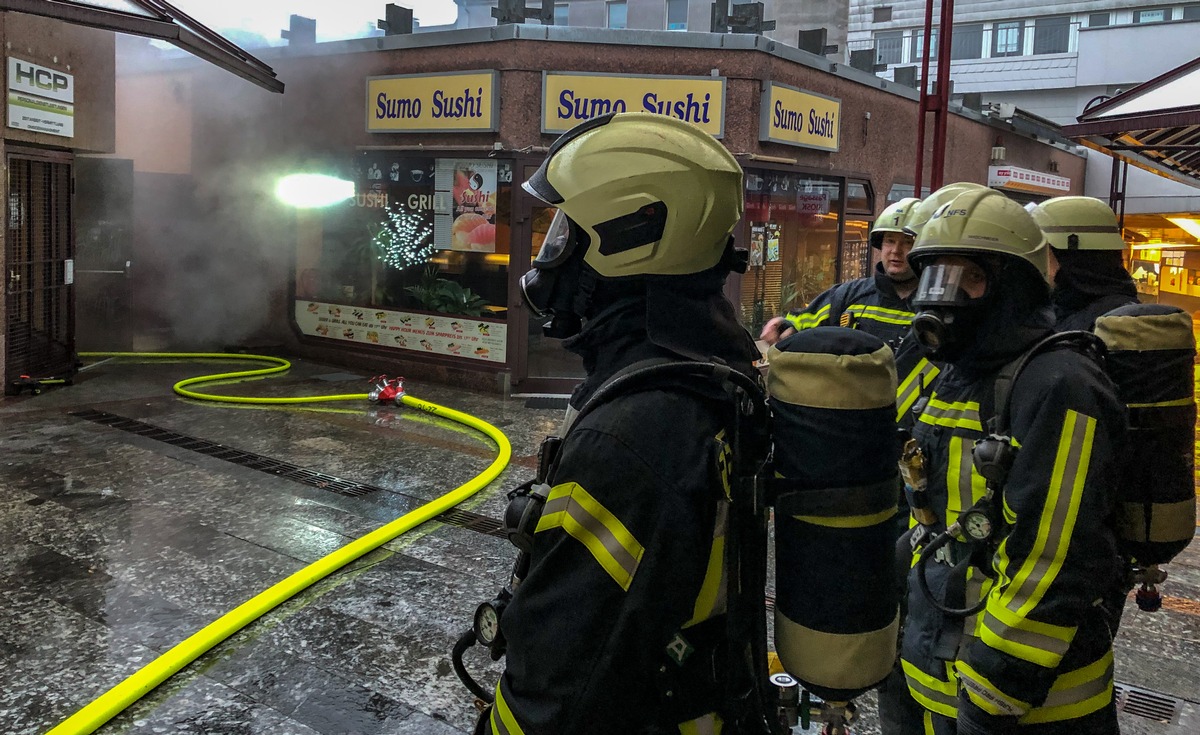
column 40, row 320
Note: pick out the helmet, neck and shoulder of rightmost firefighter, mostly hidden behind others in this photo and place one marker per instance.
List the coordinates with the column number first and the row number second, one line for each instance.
column 1087, row 265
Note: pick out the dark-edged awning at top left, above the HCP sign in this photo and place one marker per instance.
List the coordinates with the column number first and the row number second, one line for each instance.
column 154, row 20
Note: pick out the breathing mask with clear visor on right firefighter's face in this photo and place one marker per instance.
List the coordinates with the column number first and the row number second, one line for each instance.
column 949, row 318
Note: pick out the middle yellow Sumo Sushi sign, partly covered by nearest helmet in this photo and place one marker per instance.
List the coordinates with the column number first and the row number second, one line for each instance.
column 569, row 99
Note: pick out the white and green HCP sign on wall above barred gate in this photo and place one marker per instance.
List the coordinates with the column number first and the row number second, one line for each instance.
column 40, row 99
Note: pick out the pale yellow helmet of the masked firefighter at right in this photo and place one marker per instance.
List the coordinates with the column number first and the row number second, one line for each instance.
column 981, row 222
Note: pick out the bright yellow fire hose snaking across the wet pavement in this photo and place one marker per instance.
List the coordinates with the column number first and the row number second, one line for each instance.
column 137, row 685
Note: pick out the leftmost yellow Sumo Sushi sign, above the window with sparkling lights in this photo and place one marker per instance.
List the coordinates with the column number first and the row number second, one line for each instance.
column 453, row 103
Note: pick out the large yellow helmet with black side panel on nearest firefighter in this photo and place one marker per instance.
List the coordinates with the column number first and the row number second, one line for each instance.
column 656, row 195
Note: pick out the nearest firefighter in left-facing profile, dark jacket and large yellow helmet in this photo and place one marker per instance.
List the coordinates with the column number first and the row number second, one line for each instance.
column 619, row 622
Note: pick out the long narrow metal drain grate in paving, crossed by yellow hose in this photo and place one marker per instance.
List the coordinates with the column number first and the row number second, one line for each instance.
column 463, row 519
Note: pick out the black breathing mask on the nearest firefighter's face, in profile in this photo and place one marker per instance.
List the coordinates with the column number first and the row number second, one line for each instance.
column 556, row 286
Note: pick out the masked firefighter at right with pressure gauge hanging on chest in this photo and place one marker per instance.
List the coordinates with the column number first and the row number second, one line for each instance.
column 1010, row 620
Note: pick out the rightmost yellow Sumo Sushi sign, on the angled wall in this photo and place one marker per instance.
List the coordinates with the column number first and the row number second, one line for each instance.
column 795, row 117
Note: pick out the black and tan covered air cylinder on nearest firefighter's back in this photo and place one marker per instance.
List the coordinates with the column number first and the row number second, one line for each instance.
column 836, row 449
